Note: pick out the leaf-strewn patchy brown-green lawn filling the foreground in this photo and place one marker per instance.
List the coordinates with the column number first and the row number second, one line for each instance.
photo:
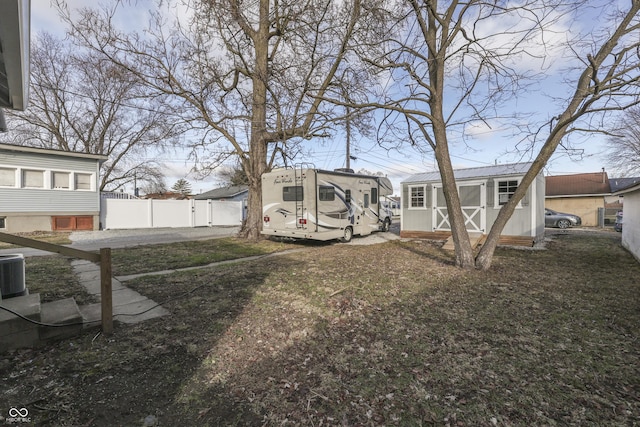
column 389, row 334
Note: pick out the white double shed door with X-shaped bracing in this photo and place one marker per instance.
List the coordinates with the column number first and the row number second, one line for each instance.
column 473, row 199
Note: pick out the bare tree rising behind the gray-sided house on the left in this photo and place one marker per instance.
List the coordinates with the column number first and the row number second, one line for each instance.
column 81, row 102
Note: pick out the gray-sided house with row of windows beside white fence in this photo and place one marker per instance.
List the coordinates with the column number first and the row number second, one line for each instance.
column 42, row 189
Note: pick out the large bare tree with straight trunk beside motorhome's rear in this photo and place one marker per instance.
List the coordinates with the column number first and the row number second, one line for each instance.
column 250, row 76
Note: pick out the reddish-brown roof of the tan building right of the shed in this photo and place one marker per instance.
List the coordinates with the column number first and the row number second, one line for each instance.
column 581, row 184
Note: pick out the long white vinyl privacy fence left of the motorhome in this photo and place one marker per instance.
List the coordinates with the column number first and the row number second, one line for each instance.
column 150, row 213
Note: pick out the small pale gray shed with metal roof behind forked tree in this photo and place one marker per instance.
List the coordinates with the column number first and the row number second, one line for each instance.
column 482, row 192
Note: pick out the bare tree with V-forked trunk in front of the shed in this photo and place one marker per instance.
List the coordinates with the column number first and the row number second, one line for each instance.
column 458, row 61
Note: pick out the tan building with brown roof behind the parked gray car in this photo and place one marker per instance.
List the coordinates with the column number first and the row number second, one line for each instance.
column 579, row 194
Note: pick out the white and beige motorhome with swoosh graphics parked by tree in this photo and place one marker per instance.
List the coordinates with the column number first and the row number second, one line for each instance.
column 309, row 203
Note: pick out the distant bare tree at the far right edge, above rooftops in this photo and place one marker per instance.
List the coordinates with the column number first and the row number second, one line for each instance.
column 623, row 150
